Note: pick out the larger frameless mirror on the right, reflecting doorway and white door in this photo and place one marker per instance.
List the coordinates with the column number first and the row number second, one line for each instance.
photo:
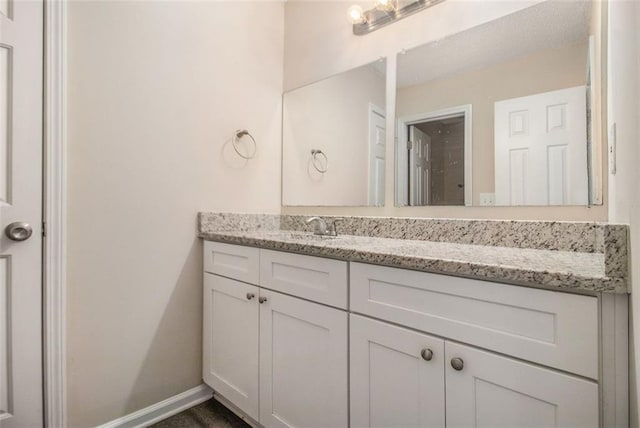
column 508, row 113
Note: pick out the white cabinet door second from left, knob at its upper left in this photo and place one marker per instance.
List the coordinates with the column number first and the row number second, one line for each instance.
column 303, row 363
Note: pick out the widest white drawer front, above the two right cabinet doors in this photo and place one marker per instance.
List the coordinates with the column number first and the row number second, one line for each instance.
column 552, row 328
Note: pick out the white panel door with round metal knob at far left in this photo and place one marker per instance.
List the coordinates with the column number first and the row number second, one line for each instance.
column 21, row 201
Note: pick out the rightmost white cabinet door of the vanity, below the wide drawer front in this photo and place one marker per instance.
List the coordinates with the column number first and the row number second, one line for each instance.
column 493, row 391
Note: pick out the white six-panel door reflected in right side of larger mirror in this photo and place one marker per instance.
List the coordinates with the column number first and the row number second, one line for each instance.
column 541, row 149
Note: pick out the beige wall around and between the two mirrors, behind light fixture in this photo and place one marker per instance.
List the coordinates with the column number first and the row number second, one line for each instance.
column 319, row 43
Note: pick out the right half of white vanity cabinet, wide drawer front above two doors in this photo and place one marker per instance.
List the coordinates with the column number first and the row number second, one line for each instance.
column 480, row 388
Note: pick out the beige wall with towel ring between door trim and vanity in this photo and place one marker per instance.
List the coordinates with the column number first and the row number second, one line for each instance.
column 155, row 91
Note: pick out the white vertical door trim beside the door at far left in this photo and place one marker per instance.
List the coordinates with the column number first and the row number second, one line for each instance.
column 54, row 213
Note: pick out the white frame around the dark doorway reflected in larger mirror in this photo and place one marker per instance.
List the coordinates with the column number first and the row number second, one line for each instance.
column 402, row 160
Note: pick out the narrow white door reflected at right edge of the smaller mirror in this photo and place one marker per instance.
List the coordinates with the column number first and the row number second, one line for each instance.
column 377, row 155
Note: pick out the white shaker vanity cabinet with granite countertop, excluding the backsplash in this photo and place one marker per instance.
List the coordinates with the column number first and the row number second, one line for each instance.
column 304, row 330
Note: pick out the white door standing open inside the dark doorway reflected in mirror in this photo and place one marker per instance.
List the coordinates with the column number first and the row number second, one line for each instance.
column 419, row 167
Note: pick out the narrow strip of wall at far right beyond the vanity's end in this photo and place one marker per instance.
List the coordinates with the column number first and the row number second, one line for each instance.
column 624, row 192
